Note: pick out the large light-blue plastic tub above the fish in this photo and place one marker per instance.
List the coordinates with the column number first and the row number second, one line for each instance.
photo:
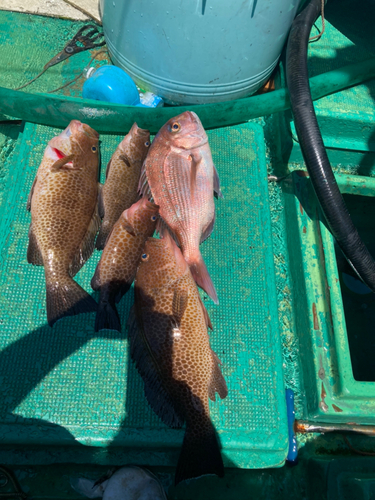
column 197, row 51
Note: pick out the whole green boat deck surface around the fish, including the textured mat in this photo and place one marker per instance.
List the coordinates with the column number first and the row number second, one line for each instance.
column 71, row 400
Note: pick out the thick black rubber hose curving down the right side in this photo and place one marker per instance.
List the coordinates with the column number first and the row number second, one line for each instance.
column 313, row 150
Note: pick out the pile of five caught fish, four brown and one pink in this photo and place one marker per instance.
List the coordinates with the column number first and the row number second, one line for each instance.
column 167, row 187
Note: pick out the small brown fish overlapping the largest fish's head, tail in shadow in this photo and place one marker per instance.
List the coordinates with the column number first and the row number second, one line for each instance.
column 116, row 269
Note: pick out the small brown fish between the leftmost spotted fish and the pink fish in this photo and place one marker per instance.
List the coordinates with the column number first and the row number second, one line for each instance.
column 120, row 189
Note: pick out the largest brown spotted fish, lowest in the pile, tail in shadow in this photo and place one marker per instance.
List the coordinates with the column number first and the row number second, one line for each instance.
column 170, row 346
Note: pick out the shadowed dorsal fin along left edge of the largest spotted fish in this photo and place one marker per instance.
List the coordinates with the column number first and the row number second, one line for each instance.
column 156, row 392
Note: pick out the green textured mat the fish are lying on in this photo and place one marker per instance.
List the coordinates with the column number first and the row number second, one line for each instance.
column 71, row 386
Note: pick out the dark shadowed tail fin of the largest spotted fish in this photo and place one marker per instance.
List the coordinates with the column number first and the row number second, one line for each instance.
column 200, row 454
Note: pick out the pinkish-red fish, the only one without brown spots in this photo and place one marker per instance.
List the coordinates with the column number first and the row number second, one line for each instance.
column 182, row 178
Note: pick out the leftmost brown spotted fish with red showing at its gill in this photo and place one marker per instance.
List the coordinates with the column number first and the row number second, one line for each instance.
column 64, row 217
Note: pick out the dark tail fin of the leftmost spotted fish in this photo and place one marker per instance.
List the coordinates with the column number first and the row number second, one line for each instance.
column 66, row 298
